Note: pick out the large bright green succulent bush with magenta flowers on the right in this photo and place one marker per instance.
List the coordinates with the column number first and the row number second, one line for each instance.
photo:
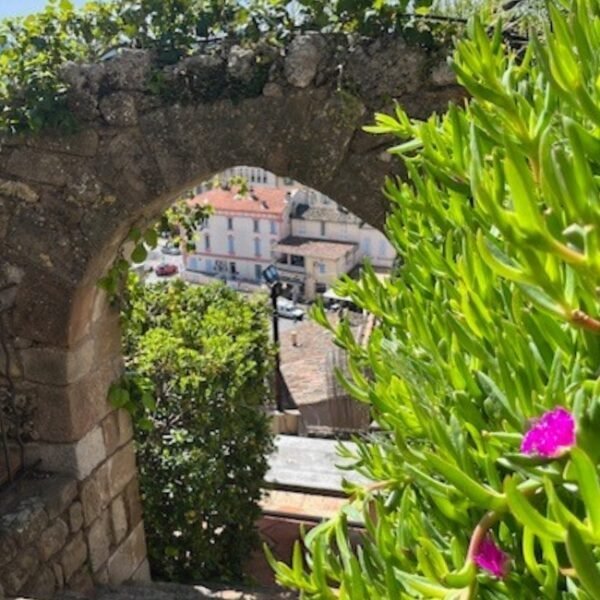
column 485, row 360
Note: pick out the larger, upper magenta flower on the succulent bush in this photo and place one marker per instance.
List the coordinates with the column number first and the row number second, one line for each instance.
column 551, row 435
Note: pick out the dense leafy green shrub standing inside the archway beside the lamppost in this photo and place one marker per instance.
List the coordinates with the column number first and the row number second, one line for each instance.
column 198, row 360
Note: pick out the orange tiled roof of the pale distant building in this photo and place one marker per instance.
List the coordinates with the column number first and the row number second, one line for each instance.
column 260, row 200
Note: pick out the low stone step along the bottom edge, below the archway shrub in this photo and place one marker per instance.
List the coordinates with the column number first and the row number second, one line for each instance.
column 173, row 591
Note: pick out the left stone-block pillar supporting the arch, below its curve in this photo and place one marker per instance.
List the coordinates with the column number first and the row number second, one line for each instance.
column 64, row 379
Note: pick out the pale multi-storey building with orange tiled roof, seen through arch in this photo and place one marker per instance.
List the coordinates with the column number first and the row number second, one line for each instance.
column 237, row 240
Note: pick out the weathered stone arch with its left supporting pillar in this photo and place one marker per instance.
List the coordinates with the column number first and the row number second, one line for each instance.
column 68, row 201
